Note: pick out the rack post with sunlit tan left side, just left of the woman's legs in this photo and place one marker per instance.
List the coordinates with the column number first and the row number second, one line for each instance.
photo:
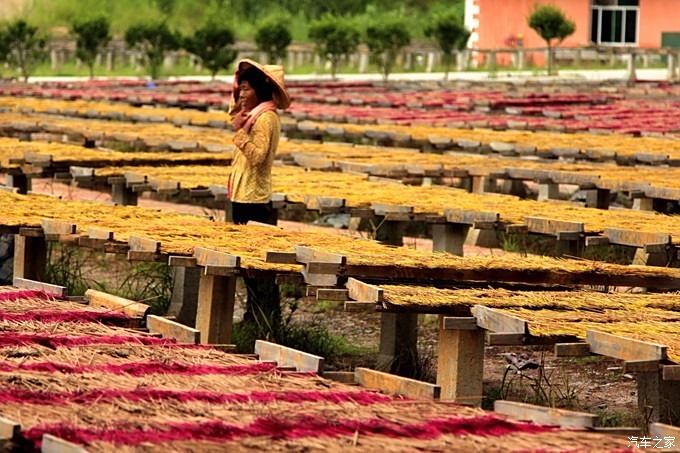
column 215, row 311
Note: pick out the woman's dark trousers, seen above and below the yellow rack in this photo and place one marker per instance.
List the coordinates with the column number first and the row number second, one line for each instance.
column 263, row 306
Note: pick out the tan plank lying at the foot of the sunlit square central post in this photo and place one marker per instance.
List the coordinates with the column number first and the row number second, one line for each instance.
column 396, row 385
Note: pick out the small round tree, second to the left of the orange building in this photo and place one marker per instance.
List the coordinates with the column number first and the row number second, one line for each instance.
column 385, row 38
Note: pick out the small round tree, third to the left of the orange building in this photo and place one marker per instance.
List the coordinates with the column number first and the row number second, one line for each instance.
column 334, row 38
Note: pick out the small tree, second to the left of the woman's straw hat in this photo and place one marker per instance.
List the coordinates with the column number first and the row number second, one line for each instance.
column 153, row 40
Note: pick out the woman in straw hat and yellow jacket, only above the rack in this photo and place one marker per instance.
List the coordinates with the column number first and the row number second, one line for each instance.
column 258, row 91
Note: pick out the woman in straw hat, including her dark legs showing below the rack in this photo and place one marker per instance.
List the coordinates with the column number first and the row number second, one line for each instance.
column 258, row 92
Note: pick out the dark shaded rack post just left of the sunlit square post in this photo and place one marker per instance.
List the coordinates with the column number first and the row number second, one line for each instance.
column 398, row 343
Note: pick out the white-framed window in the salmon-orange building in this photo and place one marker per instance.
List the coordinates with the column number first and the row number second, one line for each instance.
column 614, row 22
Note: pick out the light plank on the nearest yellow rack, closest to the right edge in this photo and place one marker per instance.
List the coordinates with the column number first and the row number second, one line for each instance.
column 624, row 348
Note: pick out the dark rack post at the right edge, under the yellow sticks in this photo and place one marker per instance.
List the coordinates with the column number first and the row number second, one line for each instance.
column 662, row 396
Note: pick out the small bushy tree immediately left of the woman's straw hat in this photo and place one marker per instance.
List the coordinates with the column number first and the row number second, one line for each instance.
column 213, row 45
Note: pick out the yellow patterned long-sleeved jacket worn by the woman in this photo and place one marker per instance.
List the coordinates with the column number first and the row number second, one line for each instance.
column 251, row 168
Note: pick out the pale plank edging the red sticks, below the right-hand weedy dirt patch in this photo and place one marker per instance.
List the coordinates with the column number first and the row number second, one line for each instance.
column 545, row 415
